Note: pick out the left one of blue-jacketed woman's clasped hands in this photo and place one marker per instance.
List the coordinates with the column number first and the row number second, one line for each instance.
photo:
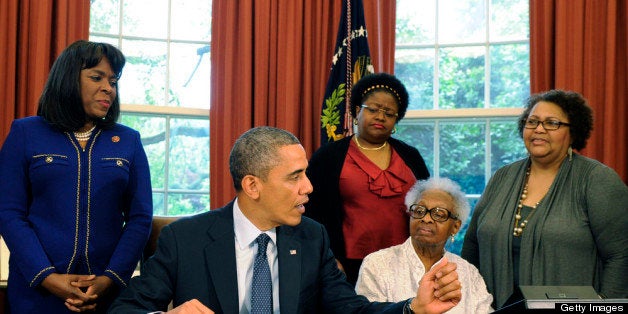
column 61, row 286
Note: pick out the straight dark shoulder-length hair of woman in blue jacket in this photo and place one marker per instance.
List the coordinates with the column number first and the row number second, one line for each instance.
column 60, row 103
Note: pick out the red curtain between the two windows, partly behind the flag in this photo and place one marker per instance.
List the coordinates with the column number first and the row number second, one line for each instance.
column 270, row 63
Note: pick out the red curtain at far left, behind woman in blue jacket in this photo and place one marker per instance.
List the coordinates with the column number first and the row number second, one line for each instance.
column 33, row 34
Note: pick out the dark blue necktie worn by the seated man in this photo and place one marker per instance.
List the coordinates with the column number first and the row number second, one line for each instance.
column 262, row 288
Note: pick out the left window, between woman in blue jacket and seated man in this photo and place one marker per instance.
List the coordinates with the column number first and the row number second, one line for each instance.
column 164, row 91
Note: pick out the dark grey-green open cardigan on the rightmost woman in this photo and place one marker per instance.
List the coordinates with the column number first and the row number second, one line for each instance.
column 577, row 236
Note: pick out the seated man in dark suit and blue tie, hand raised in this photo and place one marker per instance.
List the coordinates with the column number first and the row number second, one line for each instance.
column 213, row 257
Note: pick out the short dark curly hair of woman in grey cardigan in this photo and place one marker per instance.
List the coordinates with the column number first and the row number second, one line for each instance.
column 574, row 106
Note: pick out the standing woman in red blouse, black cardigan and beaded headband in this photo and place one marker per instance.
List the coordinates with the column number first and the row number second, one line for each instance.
column 360, row 181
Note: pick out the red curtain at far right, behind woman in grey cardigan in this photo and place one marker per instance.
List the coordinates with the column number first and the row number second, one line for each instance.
column 581, row 45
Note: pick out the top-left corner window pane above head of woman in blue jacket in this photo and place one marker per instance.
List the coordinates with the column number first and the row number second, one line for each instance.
column 104, row 16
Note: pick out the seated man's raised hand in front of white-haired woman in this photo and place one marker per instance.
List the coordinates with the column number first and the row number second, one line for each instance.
column 439, row 289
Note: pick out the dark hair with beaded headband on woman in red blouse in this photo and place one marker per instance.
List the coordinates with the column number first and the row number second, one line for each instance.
column 379, row 82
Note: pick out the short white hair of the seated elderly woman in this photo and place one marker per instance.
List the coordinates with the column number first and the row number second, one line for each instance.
column 448, row 186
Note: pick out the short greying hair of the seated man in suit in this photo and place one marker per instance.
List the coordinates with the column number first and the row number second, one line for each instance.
column 256, row 152
